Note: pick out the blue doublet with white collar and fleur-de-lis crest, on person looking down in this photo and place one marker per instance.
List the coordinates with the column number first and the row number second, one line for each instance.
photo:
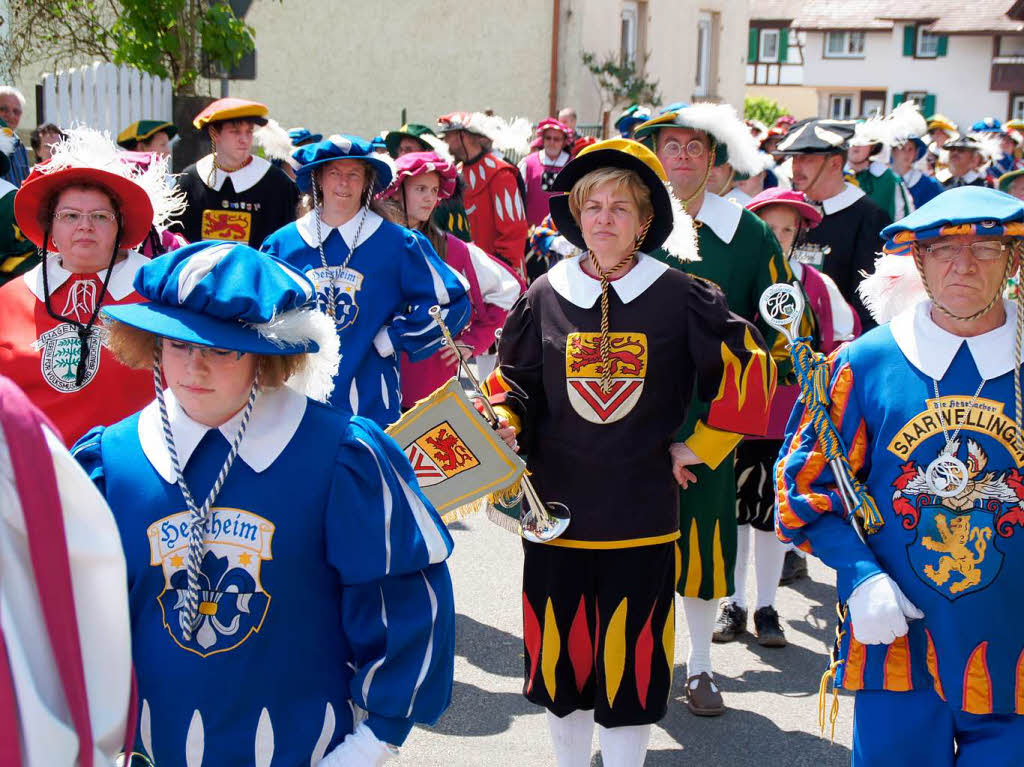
column 323, row 586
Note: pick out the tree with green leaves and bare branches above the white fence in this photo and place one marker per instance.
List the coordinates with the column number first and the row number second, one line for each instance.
column 183, row 40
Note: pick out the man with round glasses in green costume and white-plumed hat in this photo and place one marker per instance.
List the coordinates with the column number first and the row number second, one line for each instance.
column 741, row 255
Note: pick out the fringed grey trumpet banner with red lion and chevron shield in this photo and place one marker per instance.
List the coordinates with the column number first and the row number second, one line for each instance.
column 459, row 460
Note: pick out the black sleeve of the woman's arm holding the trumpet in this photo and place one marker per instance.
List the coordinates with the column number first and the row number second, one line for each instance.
column 516, row 387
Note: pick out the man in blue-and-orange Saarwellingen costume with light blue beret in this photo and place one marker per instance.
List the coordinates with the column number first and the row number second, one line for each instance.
column 929, row 408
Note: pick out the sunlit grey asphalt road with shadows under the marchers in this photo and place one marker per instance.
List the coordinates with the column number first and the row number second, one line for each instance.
column 772, row 694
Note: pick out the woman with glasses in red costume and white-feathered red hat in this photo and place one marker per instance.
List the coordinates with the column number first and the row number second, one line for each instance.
column 86, row 210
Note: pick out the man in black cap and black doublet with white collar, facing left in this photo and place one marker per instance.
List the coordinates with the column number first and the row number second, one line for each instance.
column 847, row 240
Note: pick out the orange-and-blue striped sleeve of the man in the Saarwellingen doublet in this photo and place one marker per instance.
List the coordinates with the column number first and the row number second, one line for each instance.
column 809, row 512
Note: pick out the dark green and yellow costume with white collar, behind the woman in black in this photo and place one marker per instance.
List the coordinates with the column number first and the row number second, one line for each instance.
column 743, row 258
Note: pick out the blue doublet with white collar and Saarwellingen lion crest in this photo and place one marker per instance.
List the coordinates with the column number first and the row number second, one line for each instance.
column 960, row 560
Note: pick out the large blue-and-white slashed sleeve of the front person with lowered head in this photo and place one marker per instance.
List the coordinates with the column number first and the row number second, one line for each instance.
column 390, row 546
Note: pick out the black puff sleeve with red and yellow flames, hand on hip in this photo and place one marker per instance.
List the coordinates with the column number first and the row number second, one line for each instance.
column 736, row 374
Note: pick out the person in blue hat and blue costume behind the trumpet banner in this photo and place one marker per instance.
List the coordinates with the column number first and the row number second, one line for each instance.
column 376, row 279
